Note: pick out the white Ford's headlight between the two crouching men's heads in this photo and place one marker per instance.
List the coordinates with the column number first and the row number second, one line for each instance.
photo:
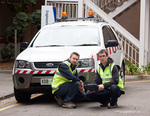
column 89, row 62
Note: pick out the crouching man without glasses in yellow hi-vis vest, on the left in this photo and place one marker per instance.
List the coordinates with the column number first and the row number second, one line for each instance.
column 66, row 85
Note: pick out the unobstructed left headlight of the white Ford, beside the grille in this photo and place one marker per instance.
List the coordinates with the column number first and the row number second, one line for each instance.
column 21, row 64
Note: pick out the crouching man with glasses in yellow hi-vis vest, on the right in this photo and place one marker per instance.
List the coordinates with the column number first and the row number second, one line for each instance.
column 109, row 82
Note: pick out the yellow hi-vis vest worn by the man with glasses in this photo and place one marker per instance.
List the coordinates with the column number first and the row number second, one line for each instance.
column 106, row 75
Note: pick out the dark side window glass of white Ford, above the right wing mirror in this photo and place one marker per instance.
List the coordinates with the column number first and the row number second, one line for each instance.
column 108, row 34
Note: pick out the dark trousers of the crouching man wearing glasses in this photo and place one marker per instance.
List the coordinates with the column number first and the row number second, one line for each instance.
column 106, row 95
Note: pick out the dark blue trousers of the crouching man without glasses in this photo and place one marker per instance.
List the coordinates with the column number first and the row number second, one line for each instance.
column 70, row 92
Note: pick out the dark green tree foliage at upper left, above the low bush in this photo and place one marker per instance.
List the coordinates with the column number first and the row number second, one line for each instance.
column 20, row 21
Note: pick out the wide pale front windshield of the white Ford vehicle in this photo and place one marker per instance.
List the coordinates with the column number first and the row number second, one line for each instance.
column 67, row 36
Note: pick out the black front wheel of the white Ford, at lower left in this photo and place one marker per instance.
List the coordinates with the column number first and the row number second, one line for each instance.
column 22, row 96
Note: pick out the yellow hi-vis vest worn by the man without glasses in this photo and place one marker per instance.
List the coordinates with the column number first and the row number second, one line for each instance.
column 59, row 79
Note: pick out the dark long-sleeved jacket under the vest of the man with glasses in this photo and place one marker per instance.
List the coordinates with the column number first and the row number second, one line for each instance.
column 115, row 75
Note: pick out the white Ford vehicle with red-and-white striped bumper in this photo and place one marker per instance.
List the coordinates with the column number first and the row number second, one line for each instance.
column 35, row 67
